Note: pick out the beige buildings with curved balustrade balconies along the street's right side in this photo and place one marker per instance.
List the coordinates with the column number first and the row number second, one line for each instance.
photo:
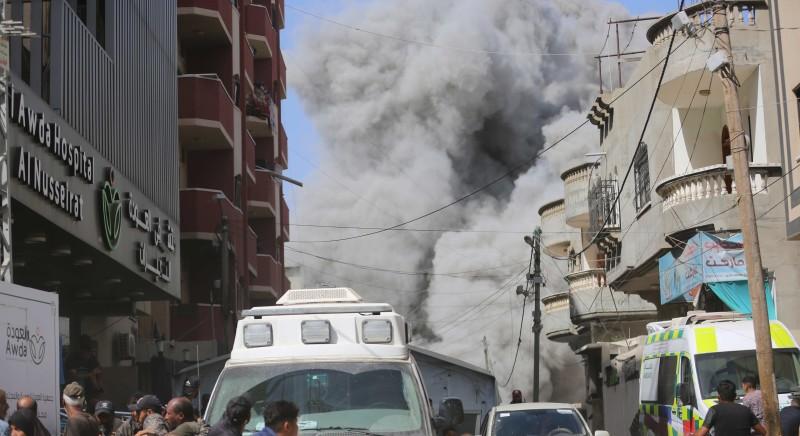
column 679, row 204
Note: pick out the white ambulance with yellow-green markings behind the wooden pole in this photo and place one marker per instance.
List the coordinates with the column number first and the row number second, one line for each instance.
column 684, row 359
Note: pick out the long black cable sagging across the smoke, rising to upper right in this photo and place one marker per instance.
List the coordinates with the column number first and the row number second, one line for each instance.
column 505, row 175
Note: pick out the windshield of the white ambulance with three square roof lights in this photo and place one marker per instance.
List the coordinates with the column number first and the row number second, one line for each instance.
column 345, row 396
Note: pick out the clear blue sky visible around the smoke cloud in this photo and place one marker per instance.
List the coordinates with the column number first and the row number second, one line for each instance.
column 302, row 136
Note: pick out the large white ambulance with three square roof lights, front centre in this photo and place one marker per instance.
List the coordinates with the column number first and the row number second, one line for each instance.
column 343, row 362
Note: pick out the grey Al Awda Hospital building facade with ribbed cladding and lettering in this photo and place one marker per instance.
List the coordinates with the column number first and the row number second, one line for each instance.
column 93, row 152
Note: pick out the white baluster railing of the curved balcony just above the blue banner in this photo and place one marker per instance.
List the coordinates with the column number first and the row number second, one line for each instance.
column 711, row 182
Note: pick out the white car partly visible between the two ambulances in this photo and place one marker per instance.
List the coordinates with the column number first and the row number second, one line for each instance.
column 536, row 419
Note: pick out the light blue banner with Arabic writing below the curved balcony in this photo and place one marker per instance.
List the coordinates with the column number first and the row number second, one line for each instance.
column 705, row 258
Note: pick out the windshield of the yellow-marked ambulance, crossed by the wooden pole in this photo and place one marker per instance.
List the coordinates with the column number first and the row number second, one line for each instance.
column 713, row 368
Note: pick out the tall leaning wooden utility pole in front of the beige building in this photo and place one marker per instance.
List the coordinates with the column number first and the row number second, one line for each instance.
column 752, row 248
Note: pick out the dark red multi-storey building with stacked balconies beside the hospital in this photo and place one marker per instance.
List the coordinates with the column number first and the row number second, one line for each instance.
column 234, row 219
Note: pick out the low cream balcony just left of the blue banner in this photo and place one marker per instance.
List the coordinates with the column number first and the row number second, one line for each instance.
column 592, row 300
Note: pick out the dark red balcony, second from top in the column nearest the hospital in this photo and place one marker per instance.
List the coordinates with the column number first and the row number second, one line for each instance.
column 205, row 113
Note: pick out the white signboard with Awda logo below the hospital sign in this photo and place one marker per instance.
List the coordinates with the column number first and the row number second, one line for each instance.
column 29, row 349
